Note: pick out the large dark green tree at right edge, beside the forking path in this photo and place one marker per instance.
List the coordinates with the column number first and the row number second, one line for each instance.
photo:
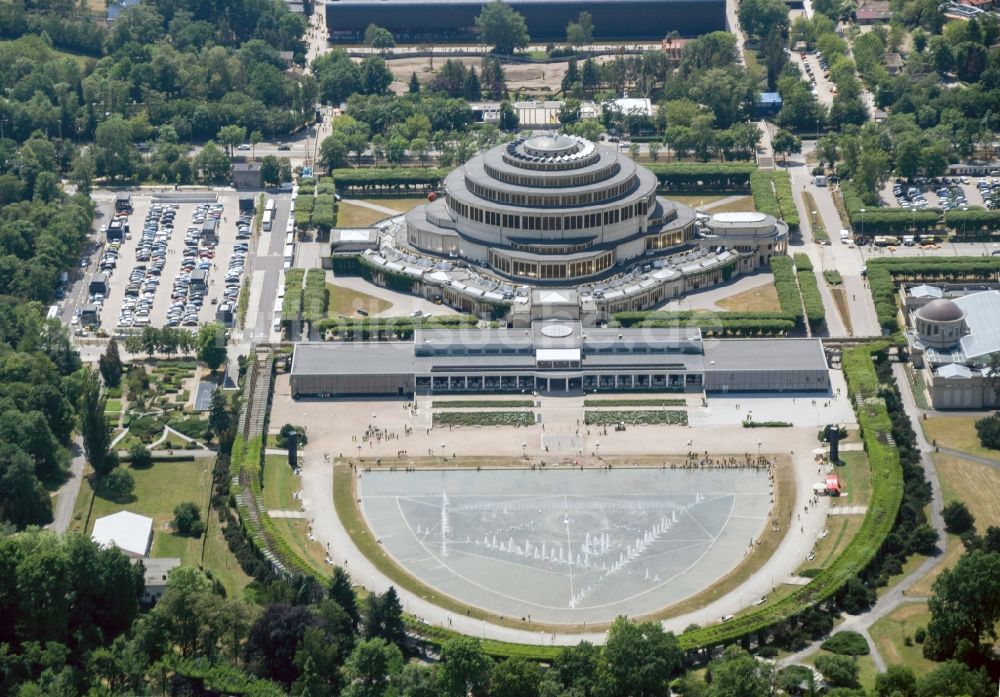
column 965, row 609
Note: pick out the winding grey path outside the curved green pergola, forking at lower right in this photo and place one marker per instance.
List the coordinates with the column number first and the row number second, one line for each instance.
column 897, row 595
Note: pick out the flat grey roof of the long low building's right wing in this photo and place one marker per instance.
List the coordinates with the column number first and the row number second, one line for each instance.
column 764, row 354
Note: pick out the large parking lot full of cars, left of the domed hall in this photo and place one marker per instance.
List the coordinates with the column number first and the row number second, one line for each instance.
column 169, row 270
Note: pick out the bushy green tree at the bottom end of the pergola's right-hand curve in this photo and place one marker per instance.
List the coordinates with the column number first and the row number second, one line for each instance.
column 639, row 659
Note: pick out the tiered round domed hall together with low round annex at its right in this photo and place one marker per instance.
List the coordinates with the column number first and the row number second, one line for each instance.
column 559, row 209
